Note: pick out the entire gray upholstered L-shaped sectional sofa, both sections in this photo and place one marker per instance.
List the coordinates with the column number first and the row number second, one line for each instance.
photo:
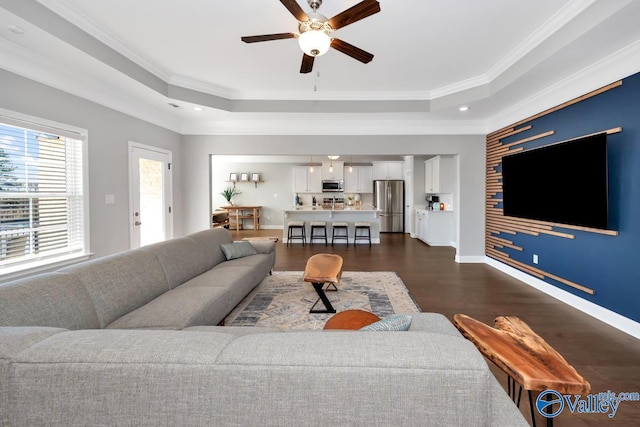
column 122, row 340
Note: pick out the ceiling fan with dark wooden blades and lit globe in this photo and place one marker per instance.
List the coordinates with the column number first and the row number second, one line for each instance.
column 315, row 30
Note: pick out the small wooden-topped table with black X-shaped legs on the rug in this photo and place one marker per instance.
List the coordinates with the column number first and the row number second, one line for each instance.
column 321, row 269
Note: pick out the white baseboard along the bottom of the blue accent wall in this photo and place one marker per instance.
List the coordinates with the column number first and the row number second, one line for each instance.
column 605, row 315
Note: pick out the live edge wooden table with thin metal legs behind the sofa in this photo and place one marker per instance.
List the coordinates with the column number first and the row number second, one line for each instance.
column 524, row 356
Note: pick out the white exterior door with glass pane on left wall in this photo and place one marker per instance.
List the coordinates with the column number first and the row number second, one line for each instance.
column 150, row 194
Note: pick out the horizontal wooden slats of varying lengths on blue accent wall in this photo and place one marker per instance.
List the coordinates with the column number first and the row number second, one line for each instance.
column 497, row 225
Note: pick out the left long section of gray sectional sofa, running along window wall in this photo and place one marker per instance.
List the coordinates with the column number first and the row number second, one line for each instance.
column 169, row 285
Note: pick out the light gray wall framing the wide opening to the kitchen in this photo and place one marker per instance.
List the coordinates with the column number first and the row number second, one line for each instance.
column 471, row 149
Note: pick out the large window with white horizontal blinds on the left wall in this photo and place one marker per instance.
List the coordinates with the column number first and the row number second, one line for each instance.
column 43, row 210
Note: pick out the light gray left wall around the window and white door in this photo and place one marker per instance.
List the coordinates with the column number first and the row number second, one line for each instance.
column 108, row 135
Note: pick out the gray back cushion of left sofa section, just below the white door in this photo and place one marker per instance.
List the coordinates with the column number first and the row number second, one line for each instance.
column 181, row 259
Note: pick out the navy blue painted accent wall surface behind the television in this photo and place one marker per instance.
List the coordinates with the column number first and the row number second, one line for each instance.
column 610, row 265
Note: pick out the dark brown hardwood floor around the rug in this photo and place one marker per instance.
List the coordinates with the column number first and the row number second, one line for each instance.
column 607, row 358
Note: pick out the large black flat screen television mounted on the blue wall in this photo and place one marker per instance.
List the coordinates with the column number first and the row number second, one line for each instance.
column 565, row 183
